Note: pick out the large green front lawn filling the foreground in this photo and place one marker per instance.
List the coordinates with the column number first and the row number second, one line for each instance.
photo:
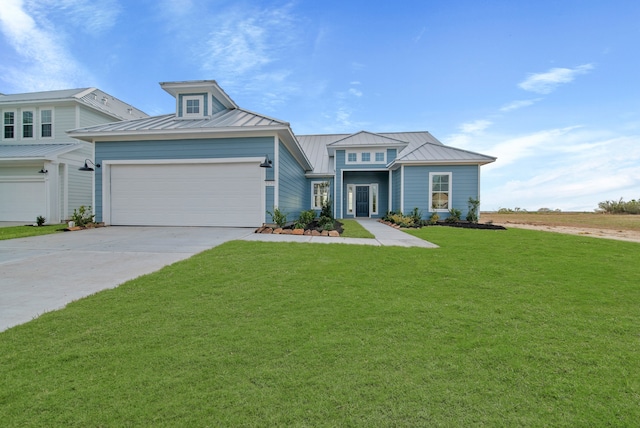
column 494, row 328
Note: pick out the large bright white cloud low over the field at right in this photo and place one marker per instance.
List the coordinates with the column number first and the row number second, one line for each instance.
column 570, row 168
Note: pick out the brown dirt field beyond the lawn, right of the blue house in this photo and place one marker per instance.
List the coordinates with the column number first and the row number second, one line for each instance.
column 608, row 226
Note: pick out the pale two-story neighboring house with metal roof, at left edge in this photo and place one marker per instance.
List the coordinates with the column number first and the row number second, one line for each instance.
column 39, row 162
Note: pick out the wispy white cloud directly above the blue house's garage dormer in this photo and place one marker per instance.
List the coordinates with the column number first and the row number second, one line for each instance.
column 248, row 51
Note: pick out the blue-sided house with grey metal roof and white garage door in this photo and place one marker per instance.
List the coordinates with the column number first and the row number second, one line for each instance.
column 212, row 163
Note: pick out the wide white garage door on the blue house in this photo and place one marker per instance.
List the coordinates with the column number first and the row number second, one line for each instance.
column 213, row 194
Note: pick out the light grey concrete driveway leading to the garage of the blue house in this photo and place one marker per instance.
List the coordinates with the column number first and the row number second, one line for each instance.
column 44, row 273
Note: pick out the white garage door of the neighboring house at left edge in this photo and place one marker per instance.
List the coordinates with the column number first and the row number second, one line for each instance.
column 22, row 200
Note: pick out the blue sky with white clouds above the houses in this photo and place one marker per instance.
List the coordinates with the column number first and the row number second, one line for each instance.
column 549, row 87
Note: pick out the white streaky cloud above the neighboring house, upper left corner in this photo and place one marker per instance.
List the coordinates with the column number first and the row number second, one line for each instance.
column 47, row 63
